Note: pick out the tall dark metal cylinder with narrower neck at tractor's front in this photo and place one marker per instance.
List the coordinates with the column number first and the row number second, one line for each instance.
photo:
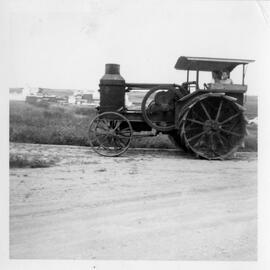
column 112, row 89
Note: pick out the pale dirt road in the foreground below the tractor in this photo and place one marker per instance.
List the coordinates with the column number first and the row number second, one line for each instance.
column 146, row 205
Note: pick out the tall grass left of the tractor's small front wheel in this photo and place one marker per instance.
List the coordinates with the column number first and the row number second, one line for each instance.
column 49, row 125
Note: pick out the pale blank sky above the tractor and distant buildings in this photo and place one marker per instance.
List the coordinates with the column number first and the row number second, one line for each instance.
column 66, row 44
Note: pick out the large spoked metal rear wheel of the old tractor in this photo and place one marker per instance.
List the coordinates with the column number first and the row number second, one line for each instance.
column 213, row 127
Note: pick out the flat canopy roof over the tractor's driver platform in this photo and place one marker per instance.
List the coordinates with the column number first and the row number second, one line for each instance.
column 208, row 64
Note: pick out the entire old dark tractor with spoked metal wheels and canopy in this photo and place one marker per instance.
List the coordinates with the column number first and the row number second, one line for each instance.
column 208, row 122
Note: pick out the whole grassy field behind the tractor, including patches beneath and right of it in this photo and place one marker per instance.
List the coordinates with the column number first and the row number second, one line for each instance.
column 68, row 125
